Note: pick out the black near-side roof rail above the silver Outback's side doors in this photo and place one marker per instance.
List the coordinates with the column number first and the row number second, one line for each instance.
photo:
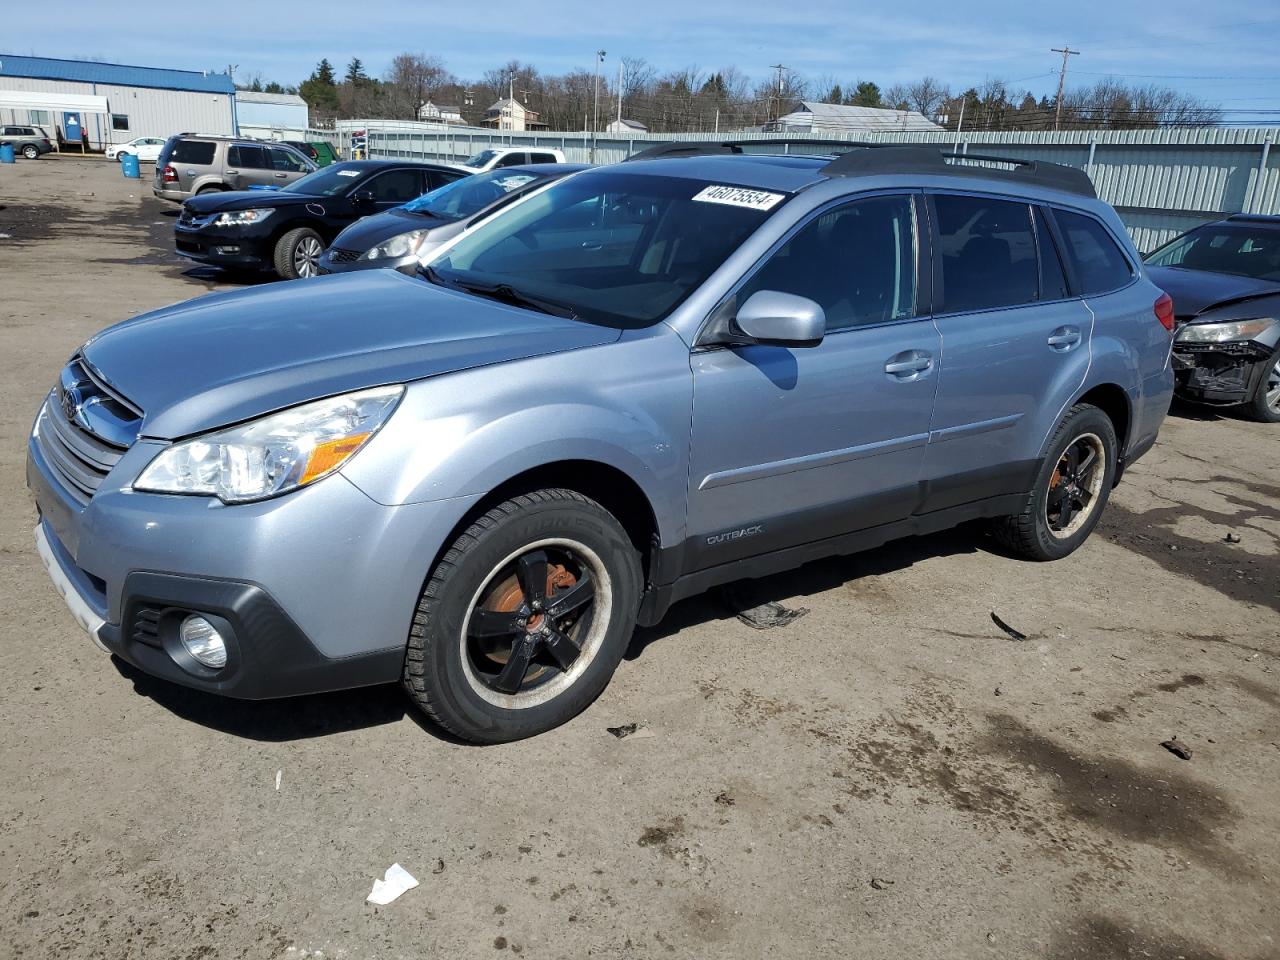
column 926, row 159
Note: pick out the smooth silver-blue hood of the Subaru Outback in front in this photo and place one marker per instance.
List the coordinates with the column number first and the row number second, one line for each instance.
column 228, row 358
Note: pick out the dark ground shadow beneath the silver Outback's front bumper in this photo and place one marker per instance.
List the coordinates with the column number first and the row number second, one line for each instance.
column 285, row 720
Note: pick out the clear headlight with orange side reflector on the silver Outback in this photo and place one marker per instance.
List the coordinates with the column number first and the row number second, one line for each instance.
column 276, row 454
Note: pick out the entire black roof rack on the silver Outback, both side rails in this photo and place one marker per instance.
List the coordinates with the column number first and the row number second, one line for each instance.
column 865, row 159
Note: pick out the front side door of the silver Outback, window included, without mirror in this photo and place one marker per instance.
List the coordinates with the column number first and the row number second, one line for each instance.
column 797, row 445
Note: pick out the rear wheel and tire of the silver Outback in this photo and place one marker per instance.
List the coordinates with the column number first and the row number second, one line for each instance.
column 1041, row 532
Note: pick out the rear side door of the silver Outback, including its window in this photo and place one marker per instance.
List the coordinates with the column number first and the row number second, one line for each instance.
column 1014, row 344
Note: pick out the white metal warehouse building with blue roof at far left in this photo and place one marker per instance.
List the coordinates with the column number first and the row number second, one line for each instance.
column 112, row 103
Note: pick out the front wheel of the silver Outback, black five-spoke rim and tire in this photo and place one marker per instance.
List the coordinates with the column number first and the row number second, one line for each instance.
column 477, row 616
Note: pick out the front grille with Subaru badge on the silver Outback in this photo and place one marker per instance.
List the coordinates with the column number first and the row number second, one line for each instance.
column 85, row 429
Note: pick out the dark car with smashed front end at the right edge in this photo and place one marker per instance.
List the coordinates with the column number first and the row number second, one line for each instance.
column 1226, row 282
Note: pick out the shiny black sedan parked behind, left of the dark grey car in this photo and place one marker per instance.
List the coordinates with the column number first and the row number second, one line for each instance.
column 287, row 231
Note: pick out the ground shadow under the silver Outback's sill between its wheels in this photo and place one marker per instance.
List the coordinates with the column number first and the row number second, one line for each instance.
column 820, row 577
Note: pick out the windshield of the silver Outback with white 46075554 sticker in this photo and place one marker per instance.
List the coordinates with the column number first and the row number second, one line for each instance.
column 615, row 249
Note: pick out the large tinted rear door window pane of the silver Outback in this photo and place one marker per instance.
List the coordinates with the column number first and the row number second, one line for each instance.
column 986, row 253
